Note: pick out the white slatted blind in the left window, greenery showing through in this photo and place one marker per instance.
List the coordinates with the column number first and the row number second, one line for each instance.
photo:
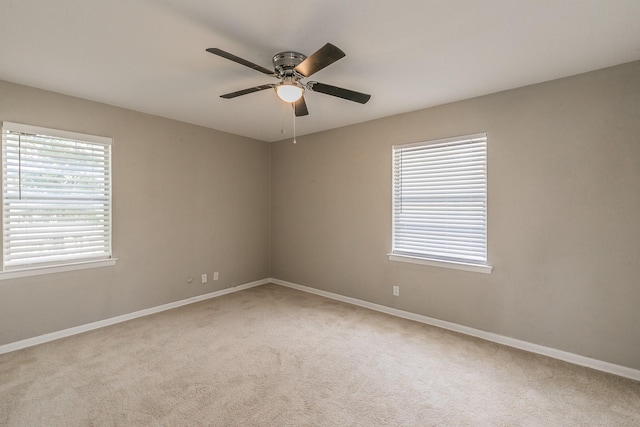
column 56, row 193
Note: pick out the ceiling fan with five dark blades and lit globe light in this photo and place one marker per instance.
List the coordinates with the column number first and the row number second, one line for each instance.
column 290, row 68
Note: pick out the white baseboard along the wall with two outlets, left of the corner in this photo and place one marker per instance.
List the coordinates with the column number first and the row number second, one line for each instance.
column 122, row 318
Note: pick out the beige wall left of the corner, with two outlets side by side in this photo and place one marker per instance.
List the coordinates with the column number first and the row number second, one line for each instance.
column 186, row 200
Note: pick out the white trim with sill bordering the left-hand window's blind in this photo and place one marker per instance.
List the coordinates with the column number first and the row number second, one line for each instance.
column 68, row 264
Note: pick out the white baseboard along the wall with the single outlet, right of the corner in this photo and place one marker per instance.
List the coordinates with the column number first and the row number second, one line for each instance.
column 576, row 359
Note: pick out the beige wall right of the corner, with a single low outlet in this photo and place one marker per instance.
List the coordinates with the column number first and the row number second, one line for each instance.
column 564, row 215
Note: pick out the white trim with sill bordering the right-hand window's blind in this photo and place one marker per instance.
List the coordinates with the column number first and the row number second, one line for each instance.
column 481, row 267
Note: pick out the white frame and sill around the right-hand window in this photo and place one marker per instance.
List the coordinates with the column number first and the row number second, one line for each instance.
column 424, row 258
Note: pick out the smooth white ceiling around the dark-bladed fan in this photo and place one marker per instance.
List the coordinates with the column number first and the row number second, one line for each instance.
column 149, row 55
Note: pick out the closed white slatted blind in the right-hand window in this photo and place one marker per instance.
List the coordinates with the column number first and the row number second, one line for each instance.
column 440, row 199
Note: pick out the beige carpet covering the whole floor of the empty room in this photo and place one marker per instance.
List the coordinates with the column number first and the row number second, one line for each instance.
column 272, row 356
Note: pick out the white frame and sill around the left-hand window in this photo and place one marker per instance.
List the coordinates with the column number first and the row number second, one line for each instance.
column 73, row 262
